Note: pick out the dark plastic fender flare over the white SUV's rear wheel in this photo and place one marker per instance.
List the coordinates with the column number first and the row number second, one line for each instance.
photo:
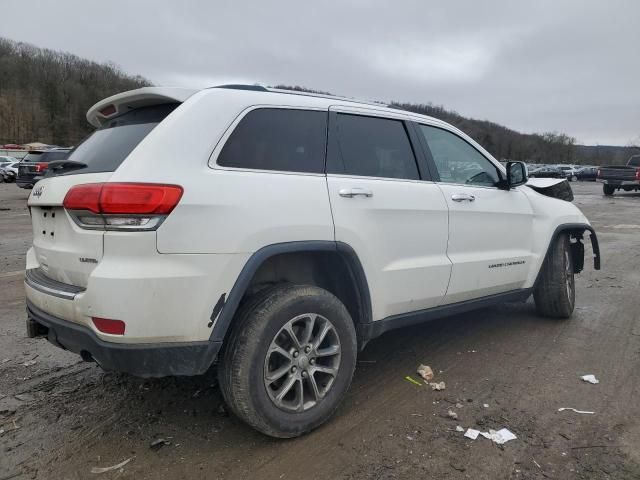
column 225, row 310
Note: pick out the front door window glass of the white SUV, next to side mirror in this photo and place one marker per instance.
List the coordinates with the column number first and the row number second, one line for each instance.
column 457, row 161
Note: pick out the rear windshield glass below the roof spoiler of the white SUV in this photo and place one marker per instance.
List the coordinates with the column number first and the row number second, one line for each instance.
column 106, row 148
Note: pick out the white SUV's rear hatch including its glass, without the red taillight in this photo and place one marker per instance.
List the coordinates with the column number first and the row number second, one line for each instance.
column 66, row 251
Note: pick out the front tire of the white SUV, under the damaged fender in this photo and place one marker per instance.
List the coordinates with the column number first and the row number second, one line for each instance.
column 555, row 292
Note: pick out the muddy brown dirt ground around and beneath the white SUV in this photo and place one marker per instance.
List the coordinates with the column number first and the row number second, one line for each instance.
column 503, row 367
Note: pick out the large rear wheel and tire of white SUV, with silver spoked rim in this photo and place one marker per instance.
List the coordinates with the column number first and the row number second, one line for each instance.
column 289, row 360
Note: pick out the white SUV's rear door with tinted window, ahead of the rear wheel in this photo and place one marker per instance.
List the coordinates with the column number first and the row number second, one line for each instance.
column 387, row 210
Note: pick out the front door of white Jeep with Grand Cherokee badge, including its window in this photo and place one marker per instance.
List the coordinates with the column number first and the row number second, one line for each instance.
column 490, row 229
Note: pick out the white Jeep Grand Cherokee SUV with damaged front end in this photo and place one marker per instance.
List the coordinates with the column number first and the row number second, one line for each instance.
column 296, row 228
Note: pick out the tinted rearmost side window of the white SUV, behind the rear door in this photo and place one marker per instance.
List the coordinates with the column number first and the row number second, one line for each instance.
column 278, row 139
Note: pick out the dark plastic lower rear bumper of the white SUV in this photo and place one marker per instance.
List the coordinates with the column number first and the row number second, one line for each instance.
column 142, row 360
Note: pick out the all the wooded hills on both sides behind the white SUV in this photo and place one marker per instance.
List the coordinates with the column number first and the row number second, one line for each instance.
column 45, row 94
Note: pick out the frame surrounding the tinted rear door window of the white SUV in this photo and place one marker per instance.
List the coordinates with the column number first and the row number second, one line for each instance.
column 334, row 111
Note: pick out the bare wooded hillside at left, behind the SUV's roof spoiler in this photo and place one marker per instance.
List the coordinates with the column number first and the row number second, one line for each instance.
column 44, row 94
